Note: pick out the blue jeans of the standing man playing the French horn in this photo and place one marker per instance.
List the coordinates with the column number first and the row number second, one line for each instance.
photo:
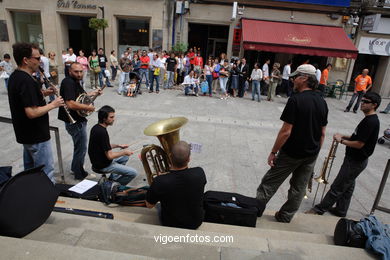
column 78, row 131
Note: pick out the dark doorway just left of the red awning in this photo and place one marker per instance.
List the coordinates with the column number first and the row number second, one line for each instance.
column 212, row 40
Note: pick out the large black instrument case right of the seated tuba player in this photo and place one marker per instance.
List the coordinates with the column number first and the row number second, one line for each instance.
column 246, row 215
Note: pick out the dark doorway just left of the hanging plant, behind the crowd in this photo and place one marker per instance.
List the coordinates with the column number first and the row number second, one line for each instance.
column 80, row 36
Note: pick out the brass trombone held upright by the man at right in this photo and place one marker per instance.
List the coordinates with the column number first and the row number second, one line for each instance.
column 325, row 171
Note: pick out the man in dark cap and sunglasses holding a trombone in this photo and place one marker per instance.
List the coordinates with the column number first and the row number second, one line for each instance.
column 359, row 146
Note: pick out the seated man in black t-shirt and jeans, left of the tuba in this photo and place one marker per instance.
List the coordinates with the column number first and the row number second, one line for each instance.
column 101, row 154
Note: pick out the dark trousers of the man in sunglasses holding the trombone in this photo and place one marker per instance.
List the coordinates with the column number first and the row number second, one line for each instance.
column 342, row 187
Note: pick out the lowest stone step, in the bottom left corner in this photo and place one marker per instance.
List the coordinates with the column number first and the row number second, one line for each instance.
column 13, row 248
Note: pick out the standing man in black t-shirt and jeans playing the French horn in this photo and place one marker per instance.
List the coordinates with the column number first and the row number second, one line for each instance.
column 70, row 89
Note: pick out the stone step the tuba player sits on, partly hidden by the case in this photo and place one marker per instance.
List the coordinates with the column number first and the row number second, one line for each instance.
column 303, row 223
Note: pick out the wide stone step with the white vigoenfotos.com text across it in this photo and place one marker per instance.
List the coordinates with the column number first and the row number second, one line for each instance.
column 140, row 239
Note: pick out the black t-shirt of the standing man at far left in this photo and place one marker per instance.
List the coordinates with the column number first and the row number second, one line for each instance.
column 24, row 91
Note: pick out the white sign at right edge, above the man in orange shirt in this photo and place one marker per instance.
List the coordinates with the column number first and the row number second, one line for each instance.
column 374, row 46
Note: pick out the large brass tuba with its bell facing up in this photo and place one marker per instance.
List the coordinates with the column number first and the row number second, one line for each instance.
column 167, row 131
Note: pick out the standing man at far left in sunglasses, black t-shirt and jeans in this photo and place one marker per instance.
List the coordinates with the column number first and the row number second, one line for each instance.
column 29, row 110
